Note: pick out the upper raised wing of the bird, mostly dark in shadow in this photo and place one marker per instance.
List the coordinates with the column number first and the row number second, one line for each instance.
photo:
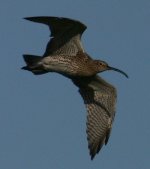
column 65, row 35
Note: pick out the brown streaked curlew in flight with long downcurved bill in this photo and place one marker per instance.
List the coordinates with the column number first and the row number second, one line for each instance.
column 65, row 55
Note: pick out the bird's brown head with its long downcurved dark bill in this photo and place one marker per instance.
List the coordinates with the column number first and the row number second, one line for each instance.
column 103, row 66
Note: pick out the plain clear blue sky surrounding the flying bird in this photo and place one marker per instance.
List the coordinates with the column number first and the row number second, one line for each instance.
column 43, row 118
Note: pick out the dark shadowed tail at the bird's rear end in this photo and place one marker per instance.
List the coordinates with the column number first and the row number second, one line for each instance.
column 33, row 64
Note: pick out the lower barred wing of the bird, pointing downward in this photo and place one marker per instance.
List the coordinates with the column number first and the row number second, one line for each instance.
column 99, row 98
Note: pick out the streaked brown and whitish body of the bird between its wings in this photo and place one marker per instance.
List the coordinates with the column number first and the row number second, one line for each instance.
column 80, row 65
